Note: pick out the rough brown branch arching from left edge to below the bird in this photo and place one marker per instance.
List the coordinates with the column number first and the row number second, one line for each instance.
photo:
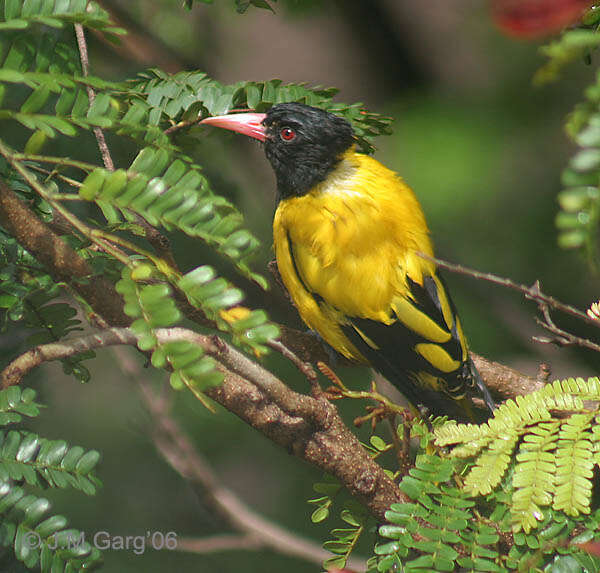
column 307, row 427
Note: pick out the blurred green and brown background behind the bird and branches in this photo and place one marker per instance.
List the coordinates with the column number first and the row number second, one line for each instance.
column 480, row 145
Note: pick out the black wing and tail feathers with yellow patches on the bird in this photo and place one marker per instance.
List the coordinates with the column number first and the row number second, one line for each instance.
column 431, row 370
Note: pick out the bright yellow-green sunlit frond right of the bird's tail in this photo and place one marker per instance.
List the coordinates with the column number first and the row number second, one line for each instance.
column 555, row 459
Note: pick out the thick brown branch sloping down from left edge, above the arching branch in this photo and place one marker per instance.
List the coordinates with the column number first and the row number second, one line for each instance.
column 61, row 261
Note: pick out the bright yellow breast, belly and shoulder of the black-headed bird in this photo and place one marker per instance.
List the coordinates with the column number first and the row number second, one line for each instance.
column 345, row 248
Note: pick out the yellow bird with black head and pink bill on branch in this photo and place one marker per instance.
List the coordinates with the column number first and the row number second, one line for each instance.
column 354, row 252
